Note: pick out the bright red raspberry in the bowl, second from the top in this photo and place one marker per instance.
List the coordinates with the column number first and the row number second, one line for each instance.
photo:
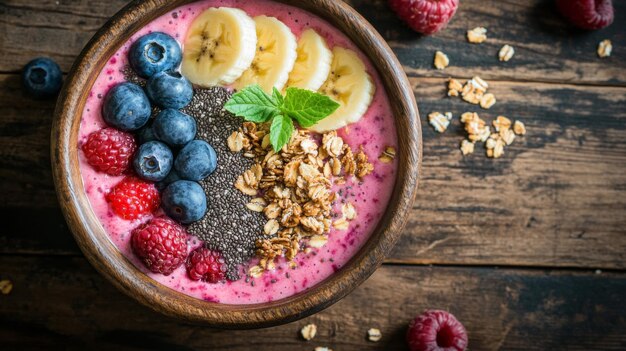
column 132, row 197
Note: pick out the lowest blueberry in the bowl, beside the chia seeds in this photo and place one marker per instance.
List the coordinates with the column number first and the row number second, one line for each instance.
column 184, row 201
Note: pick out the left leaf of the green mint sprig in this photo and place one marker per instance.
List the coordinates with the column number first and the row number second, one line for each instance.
column 253, row 104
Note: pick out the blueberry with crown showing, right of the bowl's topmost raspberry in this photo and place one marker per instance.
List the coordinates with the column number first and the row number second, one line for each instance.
column 153, row 161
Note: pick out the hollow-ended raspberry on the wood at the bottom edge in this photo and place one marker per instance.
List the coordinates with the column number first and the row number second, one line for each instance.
column 436, row 330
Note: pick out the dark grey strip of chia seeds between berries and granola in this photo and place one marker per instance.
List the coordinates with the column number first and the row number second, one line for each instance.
column 228, row 225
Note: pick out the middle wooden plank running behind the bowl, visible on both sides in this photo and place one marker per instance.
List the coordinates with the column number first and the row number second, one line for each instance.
column 557, row 198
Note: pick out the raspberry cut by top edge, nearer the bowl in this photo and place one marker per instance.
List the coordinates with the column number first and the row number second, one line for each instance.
column 425, row 16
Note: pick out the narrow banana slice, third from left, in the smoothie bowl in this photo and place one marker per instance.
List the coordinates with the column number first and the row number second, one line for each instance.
column 313, row 63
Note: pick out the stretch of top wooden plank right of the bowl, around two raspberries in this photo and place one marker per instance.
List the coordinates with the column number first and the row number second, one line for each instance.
column 547, row 48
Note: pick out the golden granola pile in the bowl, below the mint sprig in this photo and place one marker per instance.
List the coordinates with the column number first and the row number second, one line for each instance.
column 292, row 188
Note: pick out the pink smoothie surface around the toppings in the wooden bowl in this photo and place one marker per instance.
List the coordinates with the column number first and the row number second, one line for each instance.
column 374, row 132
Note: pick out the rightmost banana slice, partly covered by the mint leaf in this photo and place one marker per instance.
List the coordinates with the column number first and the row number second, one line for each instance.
column 351, row 86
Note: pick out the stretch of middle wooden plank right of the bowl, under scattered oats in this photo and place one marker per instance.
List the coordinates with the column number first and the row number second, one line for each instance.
column 557, row 197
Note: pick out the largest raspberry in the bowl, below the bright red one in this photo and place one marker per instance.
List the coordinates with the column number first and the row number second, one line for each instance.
column 161, row 244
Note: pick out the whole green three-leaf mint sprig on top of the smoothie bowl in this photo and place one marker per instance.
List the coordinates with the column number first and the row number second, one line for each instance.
column 304, row 106
